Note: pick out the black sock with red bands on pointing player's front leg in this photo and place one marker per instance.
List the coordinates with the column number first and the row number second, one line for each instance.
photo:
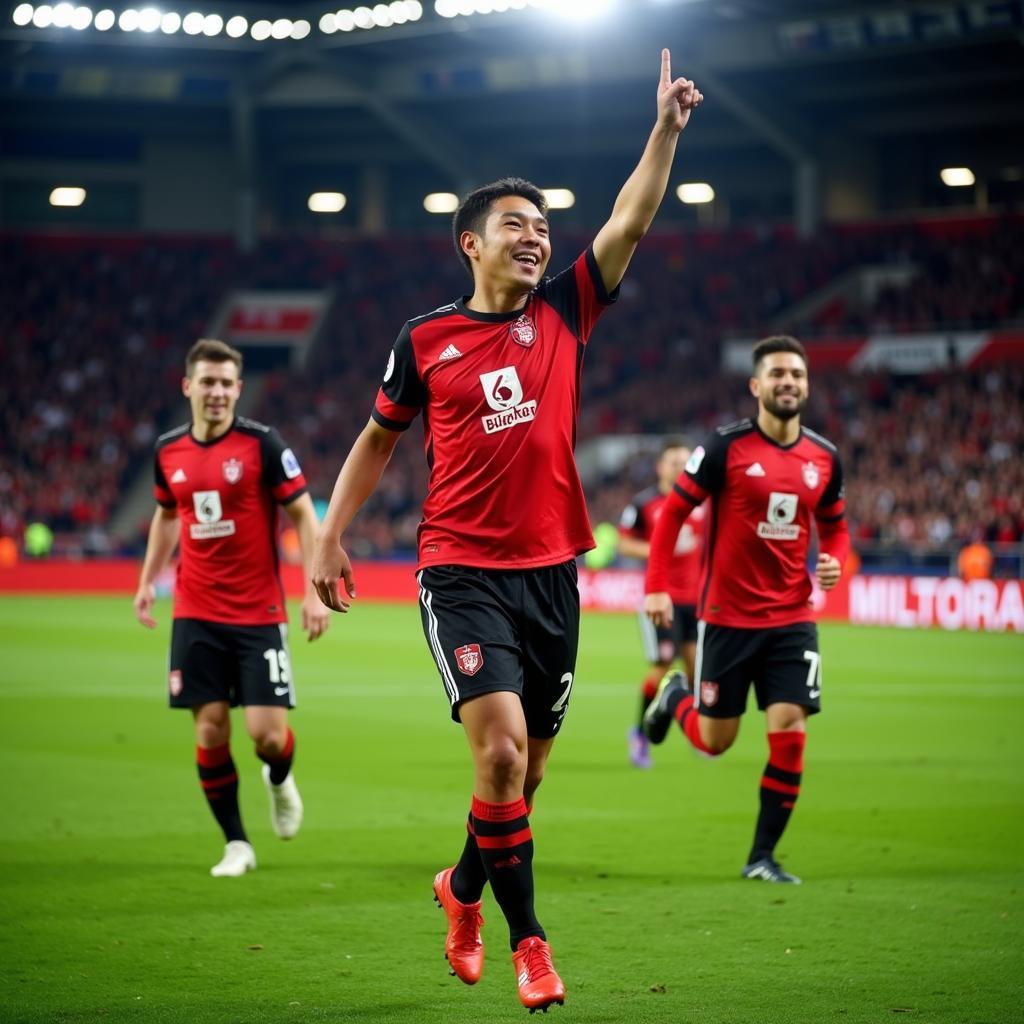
column 506, row 846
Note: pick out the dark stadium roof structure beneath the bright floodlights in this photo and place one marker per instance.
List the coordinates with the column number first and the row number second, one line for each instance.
column 466, row 99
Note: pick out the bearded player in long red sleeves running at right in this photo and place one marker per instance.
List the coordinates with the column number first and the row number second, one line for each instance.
column 766, row 479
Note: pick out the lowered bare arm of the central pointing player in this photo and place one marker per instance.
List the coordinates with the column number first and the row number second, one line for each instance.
column 359, row 477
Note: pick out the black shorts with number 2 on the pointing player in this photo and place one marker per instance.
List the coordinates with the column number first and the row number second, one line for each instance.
column 492, row 630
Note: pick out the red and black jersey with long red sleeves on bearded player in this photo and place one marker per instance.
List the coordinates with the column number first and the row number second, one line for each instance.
column 763, row 496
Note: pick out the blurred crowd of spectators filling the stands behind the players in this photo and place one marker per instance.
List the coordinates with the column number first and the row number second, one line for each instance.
column 93, row 333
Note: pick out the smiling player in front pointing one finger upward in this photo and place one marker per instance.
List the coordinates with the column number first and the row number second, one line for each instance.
column 497, row 378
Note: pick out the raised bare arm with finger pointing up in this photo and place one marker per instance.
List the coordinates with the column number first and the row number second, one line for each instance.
column 642, row 196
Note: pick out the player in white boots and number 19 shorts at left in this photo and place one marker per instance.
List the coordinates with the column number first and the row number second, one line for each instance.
column 219, row 483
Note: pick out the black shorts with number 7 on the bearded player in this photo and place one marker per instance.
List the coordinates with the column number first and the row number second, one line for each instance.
column 783, row 663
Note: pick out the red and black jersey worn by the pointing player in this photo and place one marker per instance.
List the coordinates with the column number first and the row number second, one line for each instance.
column 500, row 397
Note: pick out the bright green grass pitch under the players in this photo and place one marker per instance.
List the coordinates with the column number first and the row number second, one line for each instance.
column 910, row 835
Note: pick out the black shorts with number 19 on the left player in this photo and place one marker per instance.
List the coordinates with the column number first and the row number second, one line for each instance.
column 243, row 665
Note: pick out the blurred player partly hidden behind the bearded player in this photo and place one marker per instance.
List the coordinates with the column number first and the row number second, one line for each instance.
column 662, row 646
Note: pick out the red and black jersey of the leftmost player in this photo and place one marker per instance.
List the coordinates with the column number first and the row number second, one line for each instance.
column 227, row 494
